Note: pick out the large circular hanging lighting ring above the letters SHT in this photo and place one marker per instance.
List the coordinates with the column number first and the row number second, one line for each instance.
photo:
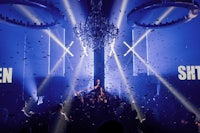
column 148, row 15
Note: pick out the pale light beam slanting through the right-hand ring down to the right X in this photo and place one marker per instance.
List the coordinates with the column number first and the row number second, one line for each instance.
column 164, row 15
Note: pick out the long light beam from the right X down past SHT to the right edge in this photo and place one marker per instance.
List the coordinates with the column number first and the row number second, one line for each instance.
column 180, row 97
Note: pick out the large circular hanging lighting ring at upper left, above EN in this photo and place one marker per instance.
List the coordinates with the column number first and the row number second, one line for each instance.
column 30, row 13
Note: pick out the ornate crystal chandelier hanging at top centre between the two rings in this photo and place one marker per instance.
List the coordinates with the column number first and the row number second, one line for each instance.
column 96, row 32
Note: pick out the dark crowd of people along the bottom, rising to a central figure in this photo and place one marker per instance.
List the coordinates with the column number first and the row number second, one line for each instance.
column 95, row 112
